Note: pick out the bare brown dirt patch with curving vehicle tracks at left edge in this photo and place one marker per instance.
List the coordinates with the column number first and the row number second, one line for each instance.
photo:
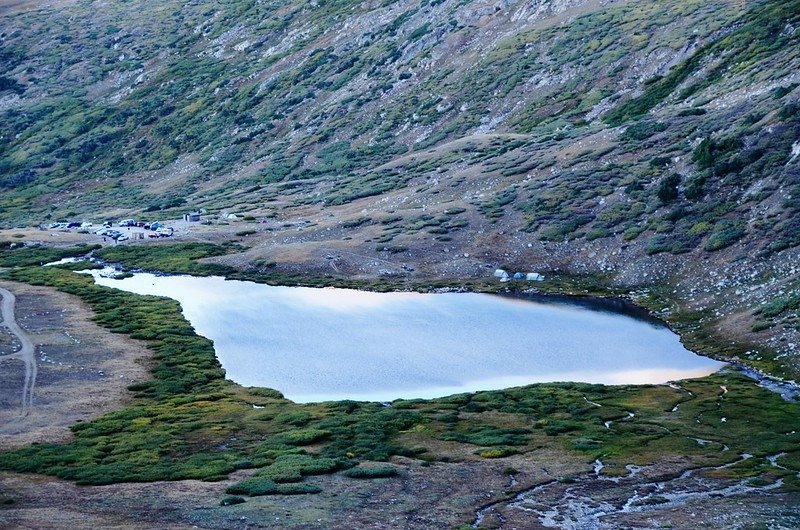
column 83, row 370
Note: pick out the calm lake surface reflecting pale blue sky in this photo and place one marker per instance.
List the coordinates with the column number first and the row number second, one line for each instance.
column 332, row 344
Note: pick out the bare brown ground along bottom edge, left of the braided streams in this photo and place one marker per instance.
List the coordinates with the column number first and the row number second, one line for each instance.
column 443, row 495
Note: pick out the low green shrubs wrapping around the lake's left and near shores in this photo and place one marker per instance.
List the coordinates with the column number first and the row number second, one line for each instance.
column 188, row 421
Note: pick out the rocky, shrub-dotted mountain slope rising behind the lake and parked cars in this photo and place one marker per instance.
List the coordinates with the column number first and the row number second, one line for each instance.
column 649, row 143
